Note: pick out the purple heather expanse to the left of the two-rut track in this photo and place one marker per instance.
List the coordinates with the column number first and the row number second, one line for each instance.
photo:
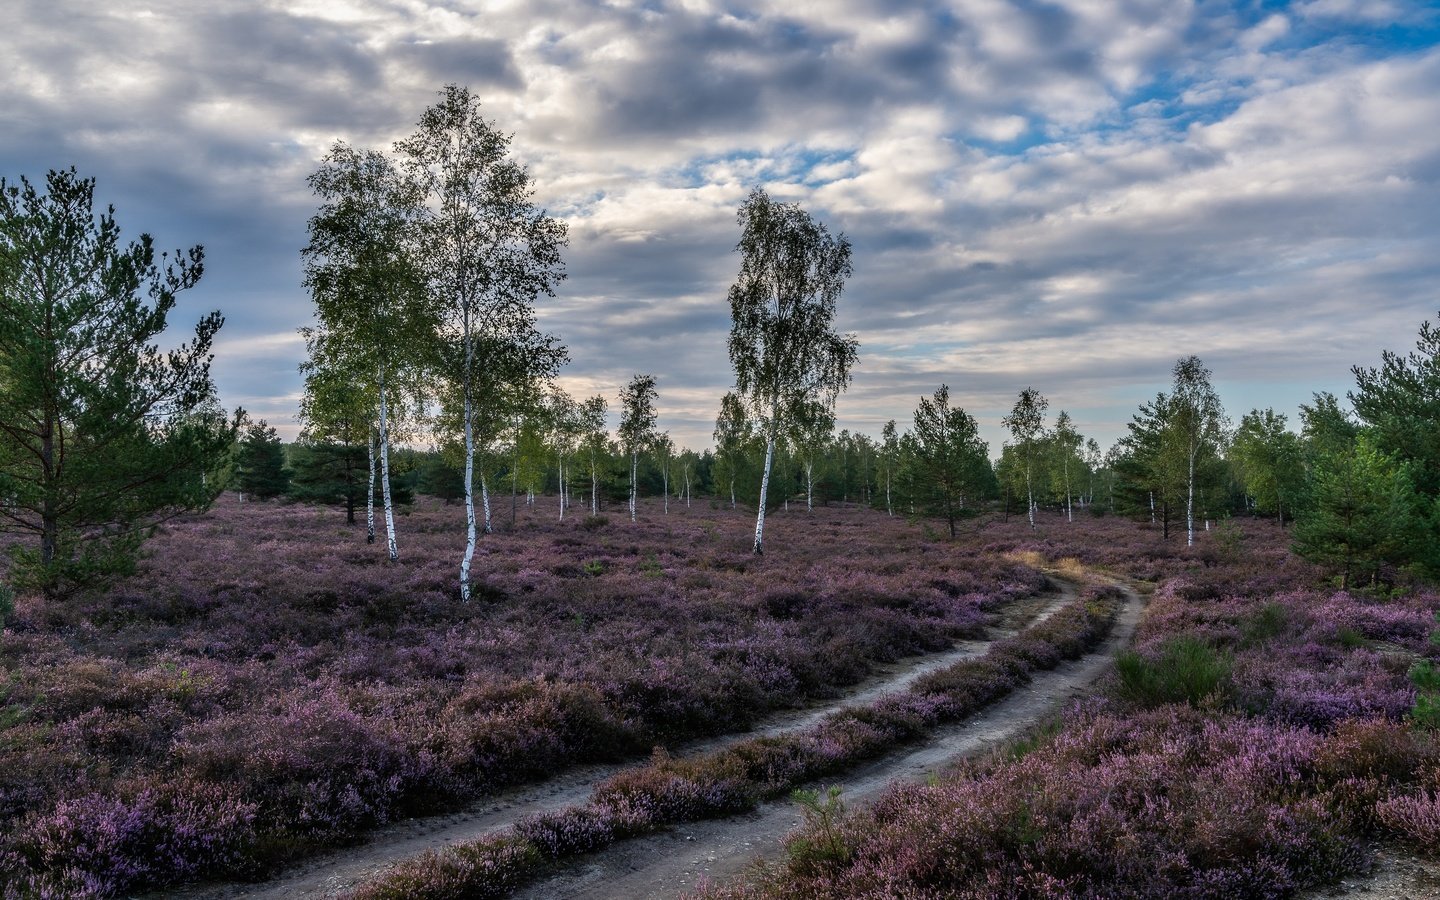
column 267, row 685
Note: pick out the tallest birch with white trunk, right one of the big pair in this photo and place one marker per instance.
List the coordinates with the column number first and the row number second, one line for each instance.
column 490, row 254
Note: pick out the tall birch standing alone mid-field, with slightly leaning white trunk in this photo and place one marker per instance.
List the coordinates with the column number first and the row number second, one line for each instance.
column 783, row 307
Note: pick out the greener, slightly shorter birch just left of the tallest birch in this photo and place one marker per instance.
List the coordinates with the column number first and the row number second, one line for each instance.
column 362, row 276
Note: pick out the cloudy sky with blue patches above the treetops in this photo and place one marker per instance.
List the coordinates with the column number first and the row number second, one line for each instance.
column 1066, row 195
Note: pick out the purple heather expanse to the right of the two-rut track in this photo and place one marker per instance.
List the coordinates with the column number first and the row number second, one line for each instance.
column 1258, row 741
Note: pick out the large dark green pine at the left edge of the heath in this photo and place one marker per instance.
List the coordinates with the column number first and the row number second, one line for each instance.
column 103, row 434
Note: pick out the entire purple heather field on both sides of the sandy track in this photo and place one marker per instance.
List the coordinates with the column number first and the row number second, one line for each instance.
column 267, row 686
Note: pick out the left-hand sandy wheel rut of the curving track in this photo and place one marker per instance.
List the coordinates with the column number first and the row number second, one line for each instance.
column 339, row 872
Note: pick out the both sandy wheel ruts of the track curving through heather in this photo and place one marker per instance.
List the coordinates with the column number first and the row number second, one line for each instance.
column 670, row 863
